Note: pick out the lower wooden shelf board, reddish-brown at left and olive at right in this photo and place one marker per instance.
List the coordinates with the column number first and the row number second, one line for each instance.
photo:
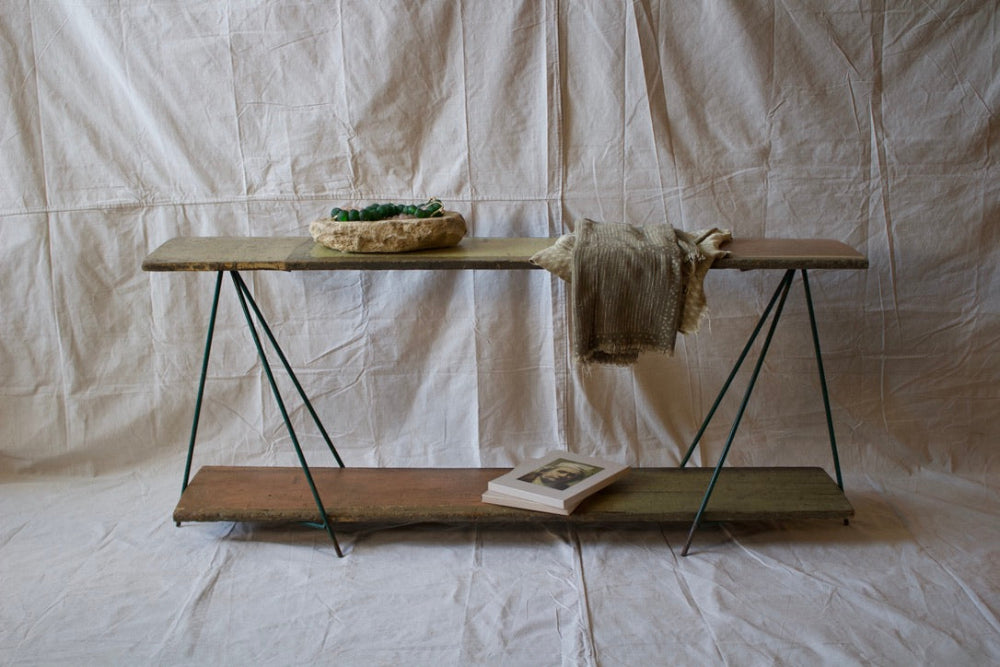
column 355, row 497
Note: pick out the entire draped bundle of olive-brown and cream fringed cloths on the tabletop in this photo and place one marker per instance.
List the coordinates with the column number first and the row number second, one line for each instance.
column 633, row 288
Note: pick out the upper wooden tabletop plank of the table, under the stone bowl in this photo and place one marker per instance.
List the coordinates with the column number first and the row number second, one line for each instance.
column 302, row 254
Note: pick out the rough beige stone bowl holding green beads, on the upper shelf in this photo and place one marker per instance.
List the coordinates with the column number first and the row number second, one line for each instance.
column 396, row 234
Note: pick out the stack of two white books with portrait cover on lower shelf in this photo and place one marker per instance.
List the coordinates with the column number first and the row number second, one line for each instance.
column 555, row 483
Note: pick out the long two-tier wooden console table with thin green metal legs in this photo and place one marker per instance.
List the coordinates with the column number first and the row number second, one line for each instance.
column 334, row 497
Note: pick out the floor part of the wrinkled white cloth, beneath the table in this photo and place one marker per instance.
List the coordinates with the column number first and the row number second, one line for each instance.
column 109, row 579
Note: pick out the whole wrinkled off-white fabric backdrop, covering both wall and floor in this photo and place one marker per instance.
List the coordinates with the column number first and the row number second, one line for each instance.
column 130, row 122
